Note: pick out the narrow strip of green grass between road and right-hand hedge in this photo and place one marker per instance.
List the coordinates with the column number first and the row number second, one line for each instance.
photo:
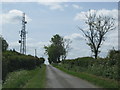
column 98, row 81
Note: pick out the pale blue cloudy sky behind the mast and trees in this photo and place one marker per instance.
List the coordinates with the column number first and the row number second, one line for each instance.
column 47, row 19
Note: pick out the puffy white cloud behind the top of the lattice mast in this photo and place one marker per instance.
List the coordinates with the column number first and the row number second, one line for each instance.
column 13, row 16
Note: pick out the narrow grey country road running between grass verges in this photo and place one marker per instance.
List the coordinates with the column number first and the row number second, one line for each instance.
column 59, row 79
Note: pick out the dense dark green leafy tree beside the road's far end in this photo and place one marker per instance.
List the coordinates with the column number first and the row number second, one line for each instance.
column 55, row 50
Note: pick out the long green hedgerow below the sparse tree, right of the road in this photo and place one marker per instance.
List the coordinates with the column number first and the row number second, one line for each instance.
column 105, row 67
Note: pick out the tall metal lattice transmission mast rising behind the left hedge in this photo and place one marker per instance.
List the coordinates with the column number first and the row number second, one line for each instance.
column 23, row 33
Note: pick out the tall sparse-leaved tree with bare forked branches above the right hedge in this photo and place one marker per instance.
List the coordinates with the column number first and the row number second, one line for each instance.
column 98, row 26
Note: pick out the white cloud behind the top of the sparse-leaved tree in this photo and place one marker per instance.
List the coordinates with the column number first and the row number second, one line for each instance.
column 112, row 13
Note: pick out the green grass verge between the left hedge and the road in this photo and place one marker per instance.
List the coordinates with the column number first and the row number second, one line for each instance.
column 26, row 78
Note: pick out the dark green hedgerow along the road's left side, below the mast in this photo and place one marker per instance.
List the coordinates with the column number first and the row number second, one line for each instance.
column 12, row 61
